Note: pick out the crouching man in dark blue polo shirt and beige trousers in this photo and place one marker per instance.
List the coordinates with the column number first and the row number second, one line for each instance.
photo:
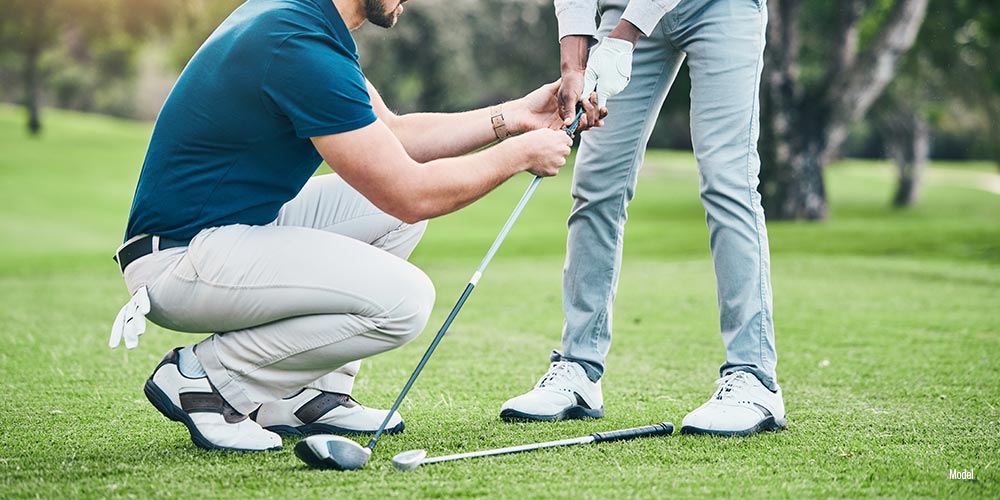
column 298, row 276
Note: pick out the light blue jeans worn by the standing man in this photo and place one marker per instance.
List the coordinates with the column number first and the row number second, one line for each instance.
column 723, row 41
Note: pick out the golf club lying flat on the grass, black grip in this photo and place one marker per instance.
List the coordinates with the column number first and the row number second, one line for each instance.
column 409, row 460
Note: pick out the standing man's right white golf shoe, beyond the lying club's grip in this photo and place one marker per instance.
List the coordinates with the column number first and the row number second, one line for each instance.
column 740, row 407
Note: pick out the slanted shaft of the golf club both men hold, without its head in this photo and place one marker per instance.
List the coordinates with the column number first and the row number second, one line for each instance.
column 468, row 290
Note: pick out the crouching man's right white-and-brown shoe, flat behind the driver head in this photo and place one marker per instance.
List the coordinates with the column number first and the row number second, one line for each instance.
column 311, row 411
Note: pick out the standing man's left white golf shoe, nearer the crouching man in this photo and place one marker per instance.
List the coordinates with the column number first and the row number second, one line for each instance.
column 564, row 393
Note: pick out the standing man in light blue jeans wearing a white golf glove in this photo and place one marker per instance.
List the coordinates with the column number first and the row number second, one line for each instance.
column 723, row 41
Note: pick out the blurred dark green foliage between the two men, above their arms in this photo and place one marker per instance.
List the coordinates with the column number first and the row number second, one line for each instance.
column 449, row 55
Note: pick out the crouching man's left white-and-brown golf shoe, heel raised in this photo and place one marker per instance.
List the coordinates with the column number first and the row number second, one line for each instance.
column 212, row 422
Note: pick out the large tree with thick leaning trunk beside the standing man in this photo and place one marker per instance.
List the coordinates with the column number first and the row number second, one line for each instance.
column 813, row 90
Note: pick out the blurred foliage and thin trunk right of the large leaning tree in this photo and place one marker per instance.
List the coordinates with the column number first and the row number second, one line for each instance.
column 945, row 100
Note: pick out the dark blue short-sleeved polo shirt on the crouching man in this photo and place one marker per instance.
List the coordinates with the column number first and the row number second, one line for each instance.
column 231, row 144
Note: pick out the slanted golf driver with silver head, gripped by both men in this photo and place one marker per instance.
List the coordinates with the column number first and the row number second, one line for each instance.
column 327, row 451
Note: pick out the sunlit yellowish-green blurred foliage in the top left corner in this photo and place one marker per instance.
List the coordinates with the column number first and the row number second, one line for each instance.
column 81, row 51
